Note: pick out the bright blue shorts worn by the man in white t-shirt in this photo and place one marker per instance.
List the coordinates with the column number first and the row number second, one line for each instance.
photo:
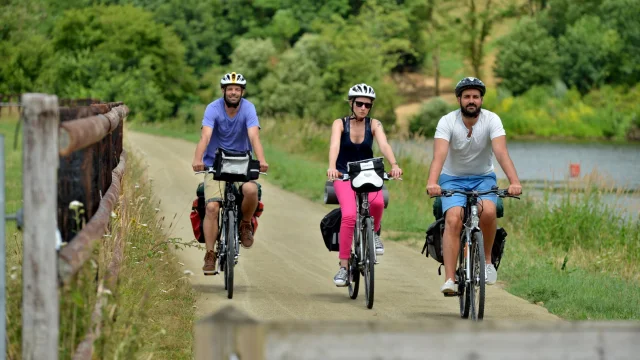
column 466, row 183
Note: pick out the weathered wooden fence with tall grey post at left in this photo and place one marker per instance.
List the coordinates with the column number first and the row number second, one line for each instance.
column 73, row 163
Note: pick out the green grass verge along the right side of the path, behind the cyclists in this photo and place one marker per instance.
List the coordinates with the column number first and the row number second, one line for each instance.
column 579, row 259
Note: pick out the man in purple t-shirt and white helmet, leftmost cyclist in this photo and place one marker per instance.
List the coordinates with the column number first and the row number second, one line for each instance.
column 231, row 123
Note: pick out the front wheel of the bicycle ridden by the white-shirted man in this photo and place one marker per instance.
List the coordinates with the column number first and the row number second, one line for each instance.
column 478, row 281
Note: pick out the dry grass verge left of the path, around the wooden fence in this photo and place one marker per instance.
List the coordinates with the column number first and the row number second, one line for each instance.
column 149, row 315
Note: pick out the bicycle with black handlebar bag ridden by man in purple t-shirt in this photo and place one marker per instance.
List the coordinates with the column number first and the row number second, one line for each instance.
column 228, row 240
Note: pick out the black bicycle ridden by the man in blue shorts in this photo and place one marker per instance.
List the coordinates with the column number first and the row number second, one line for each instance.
column 471, row 279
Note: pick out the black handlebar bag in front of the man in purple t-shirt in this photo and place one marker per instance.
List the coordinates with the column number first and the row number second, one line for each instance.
column 235, row 166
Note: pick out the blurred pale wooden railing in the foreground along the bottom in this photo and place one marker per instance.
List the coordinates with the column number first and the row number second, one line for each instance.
column 232, row 334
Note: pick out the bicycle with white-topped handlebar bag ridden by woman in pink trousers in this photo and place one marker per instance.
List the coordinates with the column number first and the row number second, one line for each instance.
column 363, row 253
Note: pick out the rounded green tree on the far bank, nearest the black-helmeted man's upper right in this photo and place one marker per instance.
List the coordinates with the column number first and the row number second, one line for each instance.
column 527, row 57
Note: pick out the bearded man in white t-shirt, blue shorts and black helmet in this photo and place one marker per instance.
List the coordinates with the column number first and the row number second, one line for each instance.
column 464, row 144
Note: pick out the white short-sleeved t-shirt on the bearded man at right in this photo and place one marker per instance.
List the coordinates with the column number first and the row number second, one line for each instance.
column 469, row 156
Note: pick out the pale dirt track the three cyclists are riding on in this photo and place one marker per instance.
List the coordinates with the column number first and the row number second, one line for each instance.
column 288, row 272
